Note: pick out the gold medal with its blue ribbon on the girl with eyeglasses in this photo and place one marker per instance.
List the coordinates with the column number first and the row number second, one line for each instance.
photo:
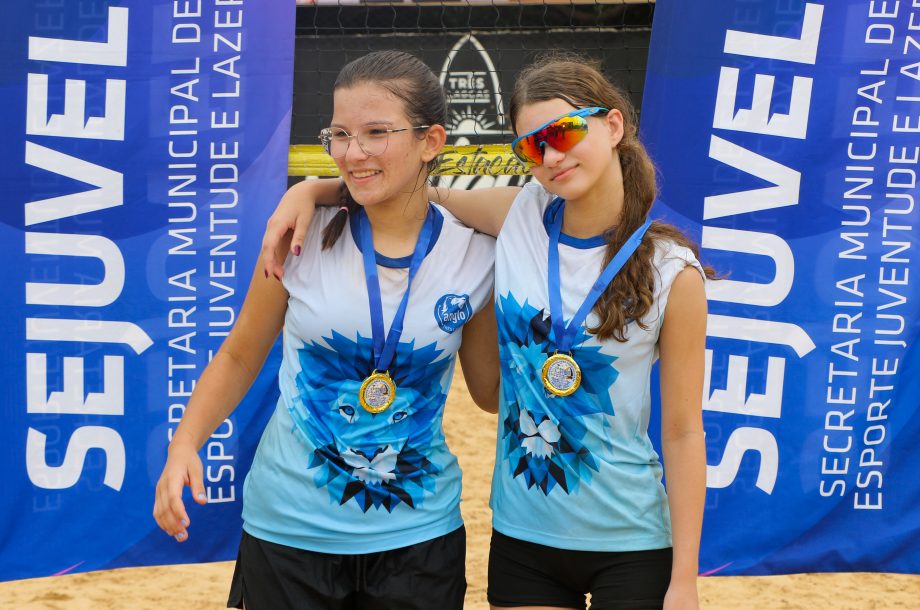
column 378, row 390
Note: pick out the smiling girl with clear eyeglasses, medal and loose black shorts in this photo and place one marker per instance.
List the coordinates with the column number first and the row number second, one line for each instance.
column 352, row 501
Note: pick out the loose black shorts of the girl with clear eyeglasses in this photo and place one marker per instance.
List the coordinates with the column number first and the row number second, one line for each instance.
column 426, row 575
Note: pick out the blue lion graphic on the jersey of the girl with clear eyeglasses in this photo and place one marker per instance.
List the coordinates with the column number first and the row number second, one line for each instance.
column 375, row 460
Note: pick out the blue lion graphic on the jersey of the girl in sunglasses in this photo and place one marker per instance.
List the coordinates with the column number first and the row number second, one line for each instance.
column 547, row 438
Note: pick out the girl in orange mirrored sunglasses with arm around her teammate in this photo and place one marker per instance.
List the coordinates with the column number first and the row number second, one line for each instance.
column 589, row 293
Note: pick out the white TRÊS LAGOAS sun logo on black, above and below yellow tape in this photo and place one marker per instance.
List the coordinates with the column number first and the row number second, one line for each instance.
column 475, row 111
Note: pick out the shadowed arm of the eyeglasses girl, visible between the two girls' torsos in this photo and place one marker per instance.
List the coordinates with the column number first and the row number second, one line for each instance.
column 479, row 358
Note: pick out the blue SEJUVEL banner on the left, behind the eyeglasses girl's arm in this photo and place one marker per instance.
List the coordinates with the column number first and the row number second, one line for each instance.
column 144, row 145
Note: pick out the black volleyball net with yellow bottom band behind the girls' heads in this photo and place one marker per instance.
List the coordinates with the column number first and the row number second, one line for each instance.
column 477, row 48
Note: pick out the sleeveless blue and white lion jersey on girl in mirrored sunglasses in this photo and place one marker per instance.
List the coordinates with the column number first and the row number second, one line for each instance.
column 576, row 472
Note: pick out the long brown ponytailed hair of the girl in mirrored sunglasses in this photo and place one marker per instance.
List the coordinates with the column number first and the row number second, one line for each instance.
column 630, row 295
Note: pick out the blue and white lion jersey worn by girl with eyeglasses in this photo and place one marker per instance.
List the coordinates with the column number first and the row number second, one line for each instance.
column 328, row 475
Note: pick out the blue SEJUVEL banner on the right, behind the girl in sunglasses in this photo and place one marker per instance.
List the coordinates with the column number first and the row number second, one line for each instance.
column 788, row 139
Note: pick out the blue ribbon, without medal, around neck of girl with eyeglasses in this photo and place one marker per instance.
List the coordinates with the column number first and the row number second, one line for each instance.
column 385, row 349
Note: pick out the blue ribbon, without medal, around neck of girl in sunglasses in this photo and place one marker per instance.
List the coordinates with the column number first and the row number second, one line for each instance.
column 565, row 334
